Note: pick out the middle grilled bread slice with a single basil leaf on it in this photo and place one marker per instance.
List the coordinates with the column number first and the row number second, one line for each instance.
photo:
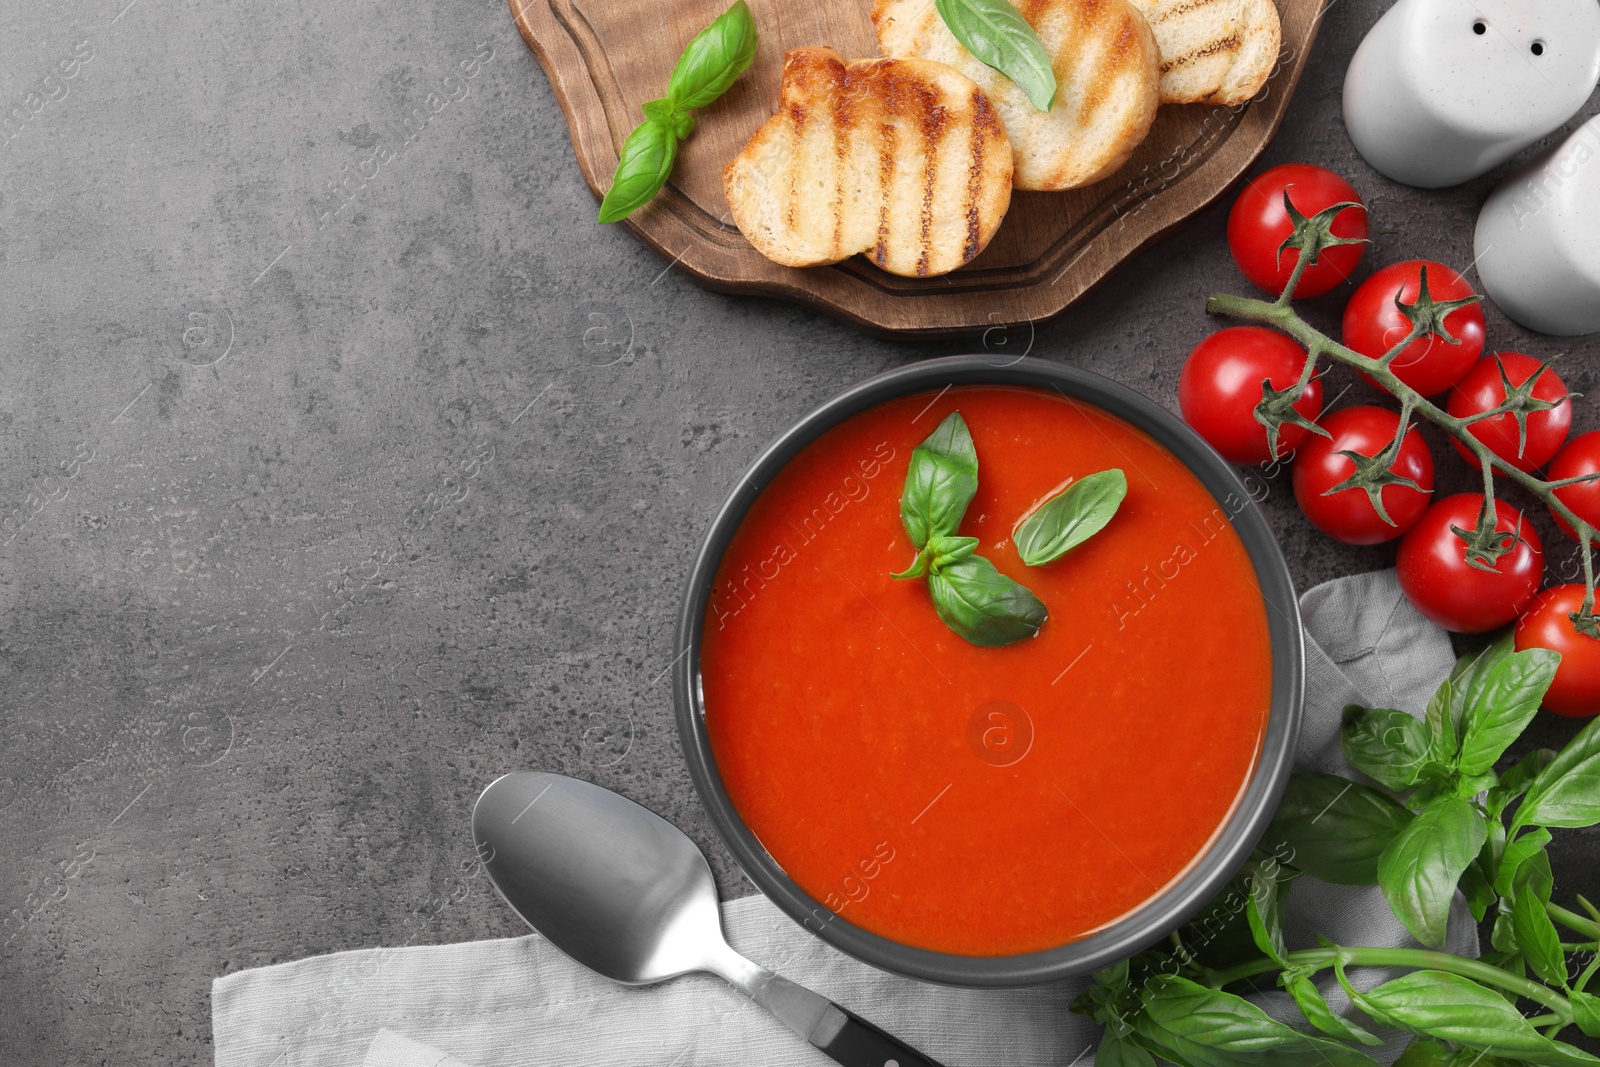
column 1108, row 84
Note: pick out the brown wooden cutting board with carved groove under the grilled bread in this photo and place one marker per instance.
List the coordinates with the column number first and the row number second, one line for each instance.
column 607, row 57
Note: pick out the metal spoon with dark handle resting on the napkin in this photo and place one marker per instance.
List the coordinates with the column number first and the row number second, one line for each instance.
column 626, row 893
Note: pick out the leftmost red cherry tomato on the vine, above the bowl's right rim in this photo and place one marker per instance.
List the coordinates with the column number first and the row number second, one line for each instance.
column 1222, row 386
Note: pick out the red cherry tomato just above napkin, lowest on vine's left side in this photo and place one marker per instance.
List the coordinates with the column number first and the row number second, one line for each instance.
column 1439, row 581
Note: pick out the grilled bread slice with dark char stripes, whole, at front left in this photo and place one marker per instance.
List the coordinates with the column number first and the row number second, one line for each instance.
column 900, row 159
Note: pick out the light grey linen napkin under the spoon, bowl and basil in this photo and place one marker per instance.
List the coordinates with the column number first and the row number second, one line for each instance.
column 521, row 1004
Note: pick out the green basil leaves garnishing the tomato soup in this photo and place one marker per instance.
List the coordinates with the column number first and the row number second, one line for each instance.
column 974, row 599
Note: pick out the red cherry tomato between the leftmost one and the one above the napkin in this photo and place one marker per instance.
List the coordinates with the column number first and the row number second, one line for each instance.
column 1350, row 514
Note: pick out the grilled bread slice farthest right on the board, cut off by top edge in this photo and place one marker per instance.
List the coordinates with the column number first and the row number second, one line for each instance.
column 1214, row 52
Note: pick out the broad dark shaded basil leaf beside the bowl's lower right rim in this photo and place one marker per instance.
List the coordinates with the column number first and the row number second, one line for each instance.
column 1335, row 829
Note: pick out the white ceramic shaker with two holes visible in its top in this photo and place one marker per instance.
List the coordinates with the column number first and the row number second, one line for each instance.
column 1446, row 90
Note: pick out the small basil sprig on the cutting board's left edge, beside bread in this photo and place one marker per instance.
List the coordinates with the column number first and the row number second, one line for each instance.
column 711, row 63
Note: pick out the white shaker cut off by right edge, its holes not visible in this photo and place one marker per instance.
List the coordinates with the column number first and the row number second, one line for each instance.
column 1538, row 239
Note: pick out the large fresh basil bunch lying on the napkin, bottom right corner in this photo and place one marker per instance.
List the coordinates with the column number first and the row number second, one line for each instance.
column 1442, row 821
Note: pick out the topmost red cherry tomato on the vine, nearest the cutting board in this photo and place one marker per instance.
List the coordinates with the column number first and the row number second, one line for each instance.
column 1258, row 226
